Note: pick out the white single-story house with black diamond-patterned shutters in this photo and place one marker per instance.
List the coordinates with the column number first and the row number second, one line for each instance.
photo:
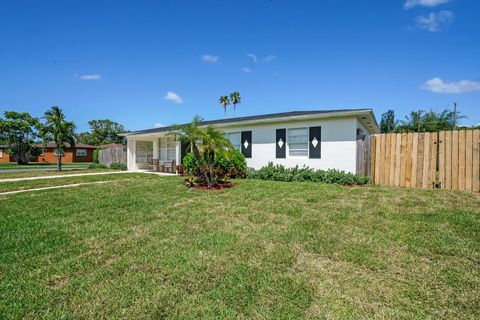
column 323, row 139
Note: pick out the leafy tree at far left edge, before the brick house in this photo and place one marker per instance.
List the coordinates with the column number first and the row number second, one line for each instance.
column 19, row 131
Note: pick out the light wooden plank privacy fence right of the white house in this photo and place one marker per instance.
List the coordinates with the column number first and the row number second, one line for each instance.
column 445, row 159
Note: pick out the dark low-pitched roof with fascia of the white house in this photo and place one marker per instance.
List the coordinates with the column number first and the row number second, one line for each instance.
column 365, row 114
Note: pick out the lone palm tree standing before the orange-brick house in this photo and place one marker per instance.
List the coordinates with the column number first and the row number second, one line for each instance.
column 58, row 130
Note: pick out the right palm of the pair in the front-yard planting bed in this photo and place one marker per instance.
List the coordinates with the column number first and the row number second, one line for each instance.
column 214, row 141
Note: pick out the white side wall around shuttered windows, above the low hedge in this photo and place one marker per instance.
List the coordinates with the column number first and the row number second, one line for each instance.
column 338, row 145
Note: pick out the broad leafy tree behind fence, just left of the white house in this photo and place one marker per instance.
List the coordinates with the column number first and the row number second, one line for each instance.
column 102, row 132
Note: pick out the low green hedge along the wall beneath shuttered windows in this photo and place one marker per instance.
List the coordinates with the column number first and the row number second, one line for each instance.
column 280, row 173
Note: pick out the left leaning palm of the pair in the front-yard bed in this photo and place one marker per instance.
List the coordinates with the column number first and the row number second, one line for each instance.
column 192, row 134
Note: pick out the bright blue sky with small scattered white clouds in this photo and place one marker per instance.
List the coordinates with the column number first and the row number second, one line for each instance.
column 147, row 63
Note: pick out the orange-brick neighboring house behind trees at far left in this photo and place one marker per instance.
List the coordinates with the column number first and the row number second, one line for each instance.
column 80, row 153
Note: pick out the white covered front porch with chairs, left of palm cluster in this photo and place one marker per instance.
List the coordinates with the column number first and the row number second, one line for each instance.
column 158, row 149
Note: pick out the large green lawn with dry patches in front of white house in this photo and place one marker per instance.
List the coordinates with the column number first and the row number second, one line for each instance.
column 148, row 247
